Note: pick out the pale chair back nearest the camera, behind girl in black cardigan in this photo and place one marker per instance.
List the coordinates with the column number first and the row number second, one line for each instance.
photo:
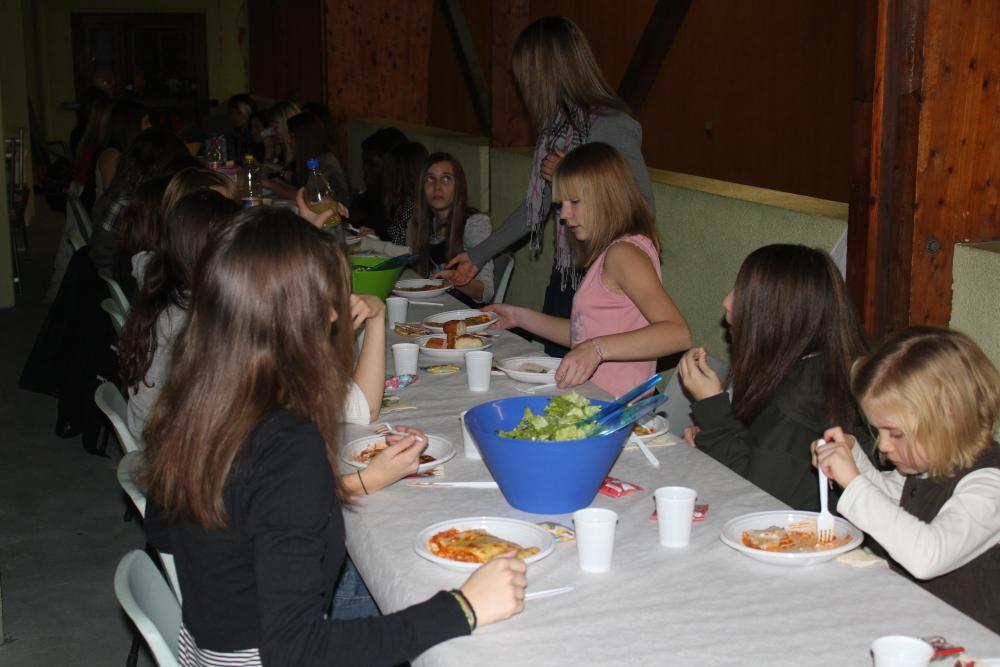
column 149, row 602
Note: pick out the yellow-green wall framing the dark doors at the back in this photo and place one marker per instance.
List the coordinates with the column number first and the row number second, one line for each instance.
column 227, row 68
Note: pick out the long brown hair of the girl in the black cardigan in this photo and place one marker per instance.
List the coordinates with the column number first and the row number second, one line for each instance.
column 258, row 339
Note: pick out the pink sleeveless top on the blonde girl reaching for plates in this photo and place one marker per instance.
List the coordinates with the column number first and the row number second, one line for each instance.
column 597, row 311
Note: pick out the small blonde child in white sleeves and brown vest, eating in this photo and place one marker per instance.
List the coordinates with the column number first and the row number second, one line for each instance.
column 934, row 398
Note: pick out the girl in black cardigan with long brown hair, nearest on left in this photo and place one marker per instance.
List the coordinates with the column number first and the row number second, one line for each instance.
column 242, row 450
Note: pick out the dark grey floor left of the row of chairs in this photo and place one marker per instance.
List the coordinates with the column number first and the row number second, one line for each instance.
column 61, row 528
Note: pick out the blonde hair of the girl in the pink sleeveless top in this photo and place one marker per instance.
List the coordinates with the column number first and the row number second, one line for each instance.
column 599, row 176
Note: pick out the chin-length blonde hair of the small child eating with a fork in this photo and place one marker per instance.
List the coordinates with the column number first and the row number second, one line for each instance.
column 944, row 389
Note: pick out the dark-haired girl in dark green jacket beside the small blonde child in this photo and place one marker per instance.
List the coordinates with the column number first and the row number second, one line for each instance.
column 795, row 335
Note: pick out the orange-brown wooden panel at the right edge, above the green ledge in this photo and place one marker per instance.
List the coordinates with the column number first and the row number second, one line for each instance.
column 958, row 156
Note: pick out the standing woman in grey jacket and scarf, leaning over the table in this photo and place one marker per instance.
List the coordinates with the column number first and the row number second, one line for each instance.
column 570, row 103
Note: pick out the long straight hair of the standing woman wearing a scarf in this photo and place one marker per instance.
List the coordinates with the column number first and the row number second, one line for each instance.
column 555, row 70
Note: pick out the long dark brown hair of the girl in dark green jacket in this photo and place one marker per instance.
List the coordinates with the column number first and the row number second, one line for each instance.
column 790, row 301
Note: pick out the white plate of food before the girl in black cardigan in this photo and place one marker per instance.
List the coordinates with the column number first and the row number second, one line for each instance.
column 465, row 544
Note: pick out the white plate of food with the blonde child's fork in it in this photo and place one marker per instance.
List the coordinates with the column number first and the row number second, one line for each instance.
column 788, row 538
